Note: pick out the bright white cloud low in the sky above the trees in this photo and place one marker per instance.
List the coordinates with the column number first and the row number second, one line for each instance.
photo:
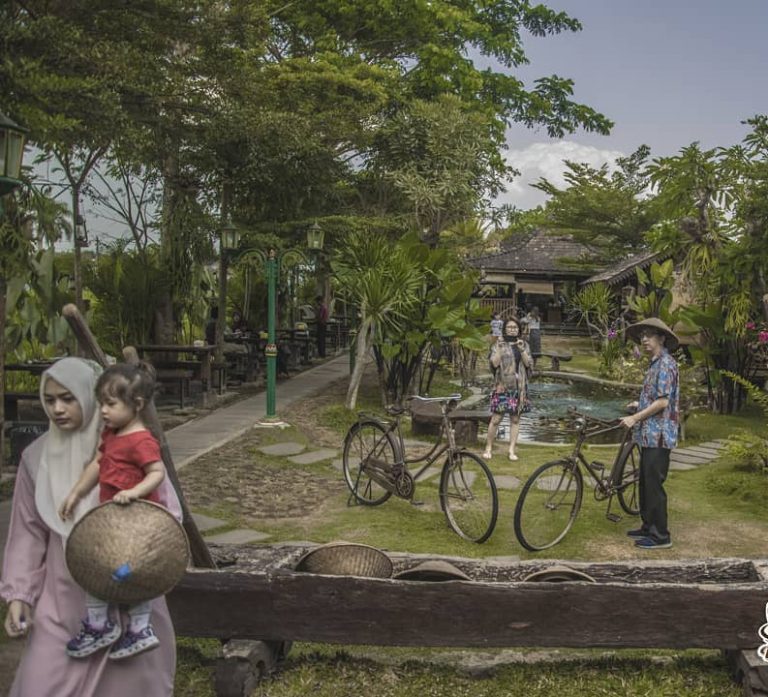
column 547, row 160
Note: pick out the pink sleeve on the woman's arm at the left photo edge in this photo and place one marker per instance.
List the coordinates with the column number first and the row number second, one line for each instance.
column 24, row 560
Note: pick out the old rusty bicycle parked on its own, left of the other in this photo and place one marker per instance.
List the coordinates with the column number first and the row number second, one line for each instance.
column 375, row 467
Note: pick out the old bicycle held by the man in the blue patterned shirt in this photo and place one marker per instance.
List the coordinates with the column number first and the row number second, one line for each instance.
column 552, row 496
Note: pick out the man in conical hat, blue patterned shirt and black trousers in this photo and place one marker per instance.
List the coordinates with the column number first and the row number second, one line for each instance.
column 655, row 428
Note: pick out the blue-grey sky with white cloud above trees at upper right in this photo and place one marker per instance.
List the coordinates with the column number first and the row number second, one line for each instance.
column 667, row 72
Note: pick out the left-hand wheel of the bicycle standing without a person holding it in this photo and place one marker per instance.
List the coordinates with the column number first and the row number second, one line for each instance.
column 367, row 439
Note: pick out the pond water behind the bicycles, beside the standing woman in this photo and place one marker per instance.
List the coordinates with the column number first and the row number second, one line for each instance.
column 548, row 421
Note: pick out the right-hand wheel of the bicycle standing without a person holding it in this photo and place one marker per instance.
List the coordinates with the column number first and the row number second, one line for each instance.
column 468, row 497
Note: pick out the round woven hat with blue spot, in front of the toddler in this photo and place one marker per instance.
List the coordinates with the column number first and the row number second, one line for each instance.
column 127, row 554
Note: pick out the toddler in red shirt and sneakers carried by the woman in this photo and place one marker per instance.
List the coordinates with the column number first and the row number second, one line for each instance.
column 128, row 467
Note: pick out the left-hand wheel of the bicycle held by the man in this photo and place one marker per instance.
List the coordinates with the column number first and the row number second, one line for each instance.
column 548, row 505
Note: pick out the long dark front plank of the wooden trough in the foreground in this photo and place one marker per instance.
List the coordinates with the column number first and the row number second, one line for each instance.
column 284, row 605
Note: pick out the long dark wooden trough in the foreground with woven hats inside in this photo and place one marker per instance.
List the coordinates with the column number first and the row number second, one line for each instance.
column 706, row 603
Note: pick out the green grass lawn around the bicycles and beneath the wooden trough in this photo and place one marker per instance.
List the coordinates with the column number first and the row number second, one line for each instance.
column 715, row 511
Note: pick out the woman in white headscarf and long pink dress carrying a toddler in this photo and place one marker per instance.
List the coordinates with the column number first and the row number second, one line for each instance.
column 44, row 602
